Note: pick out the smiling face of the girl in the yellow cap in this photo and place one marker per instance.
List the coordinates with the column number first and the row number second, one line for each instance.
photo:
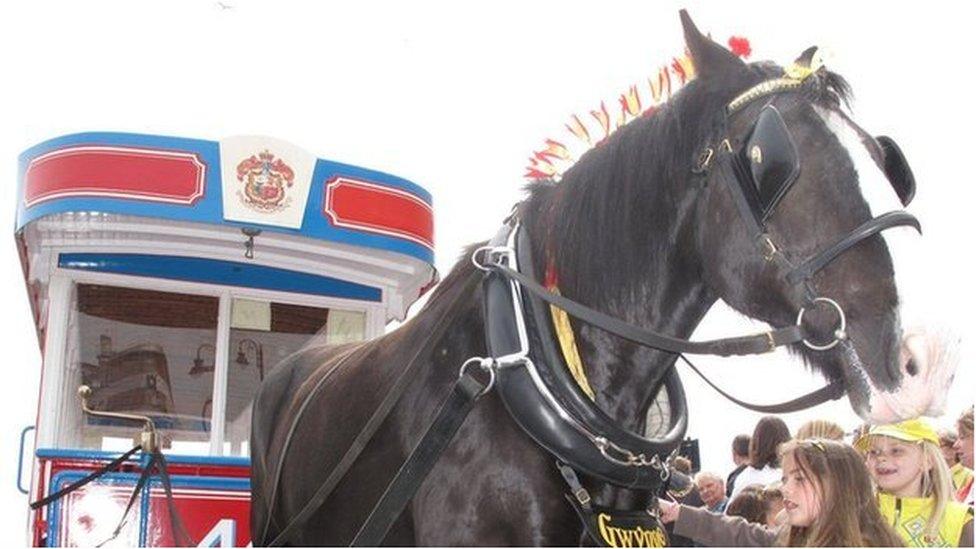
column 896, row 466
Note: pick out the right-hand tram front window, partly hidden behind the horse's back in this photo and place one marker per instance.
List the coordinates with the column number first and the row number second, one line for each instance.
column 263, row 335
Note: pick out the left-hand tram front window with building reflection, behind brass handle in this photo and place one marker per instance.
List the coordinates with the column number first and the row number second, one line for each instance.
column 142, row 352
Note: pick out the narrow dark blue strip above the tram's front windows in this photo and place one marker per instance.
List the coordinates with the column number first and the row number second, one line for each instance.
column 211, row 271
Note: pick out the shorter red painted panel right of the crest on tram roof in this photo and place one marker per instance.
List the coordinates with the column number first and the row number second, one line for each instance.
column 375, row 208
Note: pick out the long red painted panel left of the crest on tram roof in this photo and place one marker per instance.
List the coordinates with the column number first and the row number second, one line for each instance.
column 115, row 172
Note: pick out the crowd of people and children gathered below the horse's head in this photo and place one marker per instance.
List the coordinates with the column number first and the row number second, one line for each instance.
column 897, row 485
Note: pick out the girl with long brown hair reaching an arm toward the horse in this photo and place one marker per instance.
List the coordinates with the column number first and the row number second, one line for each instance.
column 828, row 498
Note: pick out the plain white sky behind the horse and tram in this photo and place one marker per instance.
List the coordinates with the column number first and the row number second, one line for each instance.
column 454, row 96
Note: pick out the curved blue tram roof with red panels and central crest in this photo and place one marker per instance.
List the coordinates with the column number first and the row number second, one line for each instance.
column 119, row 192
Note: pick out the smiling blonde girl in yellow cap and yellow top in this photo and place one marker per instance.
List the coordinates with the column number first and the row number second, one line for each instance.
column 914, row 485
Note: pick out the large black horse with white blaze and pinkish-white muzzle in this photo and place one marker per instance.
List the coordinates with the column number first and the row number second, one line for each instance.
column 636, row 230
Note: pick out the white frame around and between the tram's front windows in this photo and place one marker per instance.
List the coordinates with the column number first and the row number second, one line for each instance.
column 61, row 288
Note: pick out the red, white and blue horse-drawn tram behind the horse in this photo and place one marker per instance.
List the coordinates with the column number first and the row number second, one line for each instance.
column 167, row 278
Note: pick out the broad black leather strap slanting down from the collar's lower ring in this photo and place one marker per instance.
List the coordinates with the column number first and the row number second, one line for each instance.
column 422, row 459
